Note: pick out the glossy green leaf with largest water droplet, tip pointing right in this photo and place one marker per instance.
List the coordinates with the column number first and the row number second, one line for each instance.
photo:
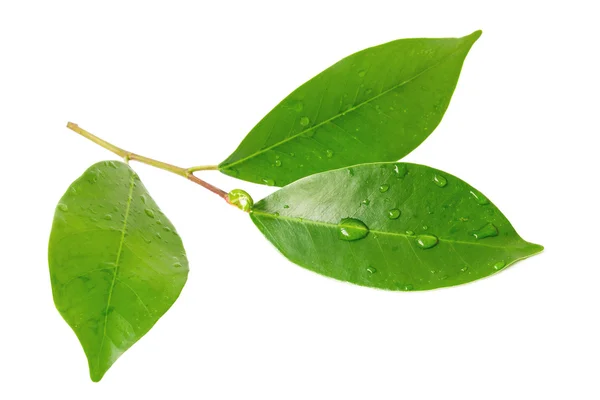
column 393, row 226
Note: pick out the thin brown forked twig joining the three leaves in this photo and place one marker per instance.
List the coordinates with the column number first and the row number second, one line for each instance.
column 127, row 155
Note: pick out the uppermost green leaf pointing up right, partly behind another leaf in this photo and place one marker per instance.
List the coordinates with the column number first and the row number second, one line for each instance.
column 376, row 105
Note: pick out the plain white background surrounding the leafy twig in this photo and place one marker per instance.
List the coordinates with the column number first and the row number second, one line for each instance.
column 184, row 82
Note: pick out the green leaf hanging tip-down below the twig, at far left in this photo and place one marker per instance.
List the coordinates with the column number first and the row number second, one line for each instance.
column 116, row 262
